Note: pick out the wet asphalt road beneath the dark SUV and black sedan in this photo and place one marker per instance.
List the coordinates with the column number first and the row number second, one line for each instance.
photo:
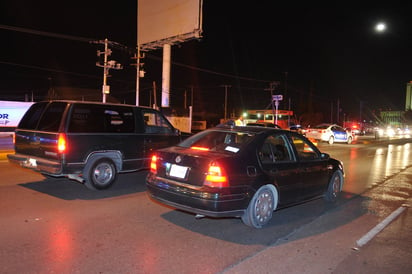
column 56, row 225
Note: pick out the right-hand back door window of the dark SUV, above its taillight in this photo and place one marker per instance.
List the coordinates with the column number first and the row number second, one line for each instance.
column 51, row 118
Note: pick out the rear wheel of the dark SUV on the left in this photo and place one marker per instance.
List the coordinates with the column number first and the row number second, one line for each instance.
column 100, row 174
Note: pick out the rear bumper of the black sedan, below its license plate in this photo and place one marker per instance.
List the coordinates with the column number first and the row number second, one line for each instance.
column 197, row 199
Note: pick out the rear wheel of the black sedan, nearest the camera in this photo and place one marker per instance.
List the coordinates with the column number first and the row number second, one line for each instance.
column 260, row 208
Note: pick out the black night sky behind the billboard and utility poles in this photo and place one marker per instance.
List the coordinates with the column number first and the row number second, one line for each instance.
column 321, row 57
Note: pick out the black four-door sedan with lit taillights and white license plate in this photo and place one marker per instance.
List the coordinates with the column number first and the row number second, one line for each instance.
column 245, row 172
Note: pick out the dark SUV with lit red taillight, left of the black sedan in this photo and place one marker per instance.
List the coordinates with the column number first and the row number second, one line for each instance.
column 89, row 141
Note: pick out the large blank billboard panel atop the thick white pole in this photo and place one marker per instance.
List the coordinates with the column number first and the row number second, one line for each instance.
column 168, row 22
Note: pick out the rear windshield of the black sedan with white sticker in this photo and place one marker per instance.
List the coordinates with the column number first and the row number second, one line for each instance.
column 220, row 141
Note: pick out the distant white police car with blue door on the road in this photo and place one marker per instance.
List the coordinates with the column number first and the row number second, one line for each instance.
column 330, row 133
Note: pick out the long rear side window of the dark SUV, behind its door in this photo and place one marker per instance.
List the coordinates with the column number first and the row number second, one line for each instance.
column 101, row 118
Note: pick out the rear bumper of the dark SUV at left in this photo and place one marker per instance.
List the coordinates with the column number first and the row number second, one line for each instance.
column 38, row 164
